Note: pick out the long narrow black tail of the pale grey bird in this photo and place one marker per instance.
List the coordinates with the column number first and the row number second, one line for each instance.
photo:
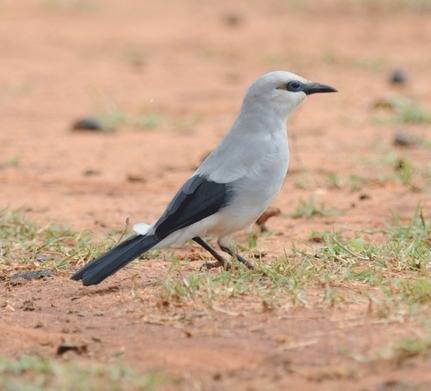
column 97, row 270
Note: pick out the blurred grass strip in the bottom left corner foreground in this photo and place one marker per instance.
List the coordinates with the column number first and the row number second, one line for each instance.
column 32, row 373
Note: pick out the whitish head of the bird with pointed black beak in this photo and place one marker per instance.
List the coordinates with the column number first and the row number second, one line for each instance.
column 282, row 92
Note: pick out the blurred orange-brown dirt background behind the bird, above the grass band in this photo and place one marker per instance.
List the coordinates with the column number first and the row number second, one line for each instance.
column 159, row 83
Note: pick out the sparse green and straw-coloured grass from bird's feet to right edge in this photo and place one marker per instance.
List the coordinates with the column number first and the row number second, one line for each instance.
column 395, row 268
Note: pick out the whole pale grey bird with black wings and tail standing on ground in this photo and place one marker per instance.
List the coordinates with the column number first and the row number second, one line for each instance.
column 231, row 188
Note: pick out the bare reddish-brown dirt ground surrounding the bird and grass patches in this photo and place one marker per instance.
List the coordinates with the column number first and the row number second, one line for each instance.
column 182, row 68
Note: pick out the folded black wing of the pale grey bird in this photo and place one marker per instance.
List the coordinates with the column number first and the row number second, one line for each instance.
column 197, row 199
